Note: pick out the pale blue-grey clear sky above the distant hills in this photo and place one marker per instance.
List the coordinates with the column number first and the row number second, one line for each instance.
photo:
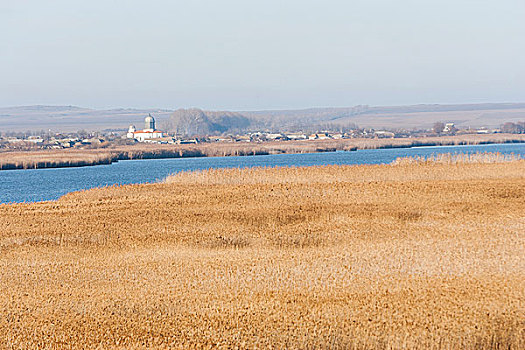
column 268, row 54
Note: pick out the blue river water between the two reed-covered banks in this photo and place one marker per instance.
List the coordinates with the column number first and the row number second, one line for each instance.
column 49, row 184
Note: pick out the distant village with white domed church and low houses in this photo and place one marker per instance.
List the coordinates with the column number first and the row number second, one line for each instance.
column 150, row 134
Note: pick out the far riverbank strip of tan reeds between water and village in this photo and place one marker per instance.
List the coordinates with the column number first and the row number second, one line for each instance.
column 89, row 157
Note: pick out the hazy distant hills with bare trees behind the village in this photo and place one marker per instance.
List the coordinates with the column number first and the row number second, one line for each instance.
column 196, row 121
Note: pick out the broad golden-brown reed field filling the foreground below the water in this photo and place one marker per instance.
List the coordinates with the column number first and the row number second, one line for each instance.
column 417, row 254
